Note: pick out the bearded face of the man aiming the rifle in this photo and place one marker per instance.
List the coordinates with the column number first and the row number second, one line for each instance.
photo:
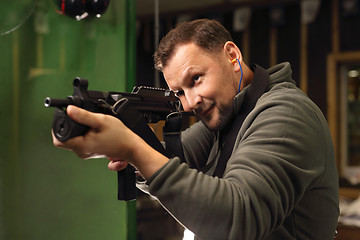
column 205, row 83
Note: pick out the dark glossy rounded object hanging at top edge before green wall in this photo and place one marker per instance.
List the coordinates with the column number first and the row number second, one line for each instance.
column 80, row 9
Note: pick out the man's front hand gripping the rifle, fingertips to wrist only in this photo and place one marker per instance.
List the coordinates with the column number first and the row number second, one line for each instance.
column 107, row 137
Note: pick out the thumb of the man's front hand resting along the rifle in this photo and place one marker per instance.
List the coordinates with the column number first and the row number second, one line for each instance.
column 83, row 116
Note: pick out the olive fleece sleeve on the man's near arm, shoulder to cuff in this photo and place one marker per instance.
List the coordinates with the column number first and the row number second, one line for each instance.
column 279, row 154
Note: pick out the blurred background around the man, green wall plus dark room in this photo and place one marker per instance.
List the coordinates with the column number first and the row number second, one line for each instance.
column 48, row 193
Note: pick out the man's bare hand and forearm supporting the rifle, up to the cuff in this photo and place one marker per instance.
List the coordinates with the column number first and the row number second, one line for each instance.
column 108, row 137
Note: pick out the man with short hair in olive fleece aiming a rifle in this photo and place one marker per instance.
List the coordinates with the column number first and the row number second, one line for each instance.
column 280, row 181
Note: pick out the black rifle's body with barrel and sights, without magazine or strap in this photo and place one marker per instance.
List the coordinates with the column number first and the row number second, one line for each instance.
column 152, row 104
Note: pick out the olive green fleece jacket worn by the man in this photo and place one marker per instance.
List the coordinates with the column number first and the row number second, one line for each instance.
column 280, row 182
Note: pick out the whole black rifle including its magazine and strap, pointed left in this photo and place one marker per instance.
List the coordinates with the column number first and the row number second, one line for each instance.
column 136, row 109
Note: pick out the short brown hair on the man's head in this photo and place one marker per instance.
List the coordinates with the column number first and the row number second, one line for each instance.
column 205, row 33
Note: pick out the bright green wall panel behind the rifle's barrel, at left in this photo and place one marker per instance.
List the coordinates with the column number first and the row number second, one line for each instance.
column 45, row 192
